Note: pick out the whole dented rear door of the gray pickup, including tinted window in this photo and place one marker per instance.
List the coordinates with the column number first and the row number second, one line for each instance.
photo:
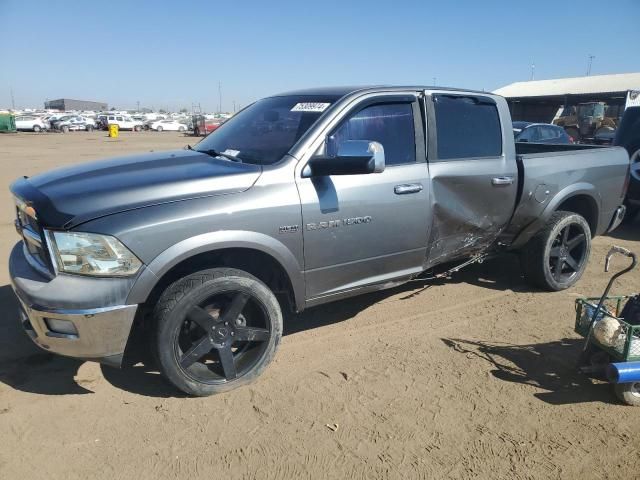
column 473, row 171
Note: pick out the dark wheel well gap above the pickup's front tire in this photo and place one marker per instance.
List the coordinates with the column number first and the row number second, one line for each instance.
column 259, row 264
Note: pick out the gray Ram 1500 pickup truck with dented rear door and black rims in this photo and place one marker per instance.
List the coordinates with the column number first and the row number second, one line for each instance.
column 300, row 199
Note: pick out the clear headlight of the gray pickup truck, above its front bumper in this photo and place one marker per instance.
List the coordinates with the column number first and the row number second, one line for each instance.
column 92, row 254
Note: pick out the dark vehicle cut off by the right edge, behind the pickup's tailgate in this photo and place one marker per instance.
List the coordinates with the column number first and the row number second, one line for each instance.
column 628, row 136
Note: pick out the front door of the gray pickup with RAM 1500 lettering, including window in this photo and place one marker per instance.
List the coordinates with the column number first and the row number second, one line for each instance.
column 368, row 229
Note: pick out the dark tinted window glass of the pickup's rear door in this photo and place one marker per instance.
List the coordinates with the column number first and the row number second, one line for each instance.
column 467, row 127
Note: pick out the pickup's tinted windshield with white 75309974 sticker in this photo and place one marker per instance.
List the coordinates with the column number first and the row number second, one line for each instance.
column 265, row 131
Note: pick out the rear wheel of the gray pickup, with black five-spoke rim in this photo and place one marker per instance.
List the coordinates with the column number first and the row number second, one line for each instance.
column 556, row 257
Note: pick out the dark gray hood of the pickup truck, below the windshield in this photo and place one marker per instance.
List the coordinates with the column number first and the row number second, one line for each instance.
column 67, row 197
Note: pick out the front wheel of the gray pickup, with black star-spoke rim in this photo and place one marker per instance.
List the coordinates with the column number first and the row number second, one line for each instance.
column 216, row 330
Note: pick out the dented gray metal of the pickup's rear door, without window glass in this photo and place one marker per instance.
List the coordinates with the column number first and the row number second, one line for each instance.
column 472, row 198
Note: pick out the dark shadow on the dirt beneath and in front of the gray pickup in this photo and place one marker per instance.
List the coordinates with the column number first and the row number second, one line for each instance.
column 25, row 367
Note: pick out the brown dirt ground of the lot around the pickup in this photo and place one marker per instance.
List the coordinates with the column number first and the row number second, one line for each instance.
column 471, row 377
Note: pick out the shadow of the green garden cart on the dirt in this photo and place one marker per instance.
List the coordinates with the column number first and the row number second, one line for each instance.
column 550, row 366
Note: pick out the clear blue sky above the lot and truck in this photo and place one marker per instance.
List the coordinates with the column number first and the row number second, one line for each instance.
column 172, row 54
